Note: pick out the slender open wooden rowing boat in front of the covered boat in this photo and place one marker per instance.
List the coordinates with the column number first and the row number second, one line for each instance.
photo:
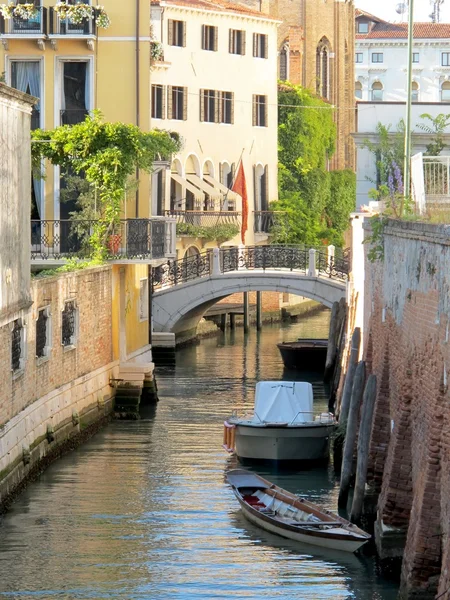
column 276, row 510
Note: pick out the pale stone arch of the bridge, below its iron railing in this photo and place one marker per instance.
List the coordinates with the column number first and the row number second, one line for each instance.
column 179, row 309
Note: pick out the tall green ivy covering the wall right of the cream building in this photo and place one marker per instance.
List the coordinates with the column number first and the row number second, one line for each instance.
column 317, row 203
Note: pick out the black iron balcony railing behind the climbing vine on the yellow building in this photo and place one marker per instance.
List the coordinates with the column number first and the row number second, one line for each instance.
column 133, row 239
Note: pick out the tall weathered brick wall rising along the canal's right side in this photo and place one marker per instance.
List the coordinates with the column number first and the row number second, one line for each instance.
column 407, row 346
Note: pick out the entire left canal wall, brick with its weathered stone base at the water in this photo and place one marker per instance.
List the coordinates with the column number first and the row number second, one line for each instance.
column 64, row 391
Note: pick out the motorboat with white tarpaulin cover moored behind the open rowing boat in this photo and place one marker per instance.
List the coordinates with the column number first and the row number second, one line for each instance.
column 283, row 426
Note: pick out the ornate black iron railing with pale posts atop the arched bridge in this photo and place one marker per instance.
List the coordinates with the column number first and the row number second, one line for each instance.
column 306, row 261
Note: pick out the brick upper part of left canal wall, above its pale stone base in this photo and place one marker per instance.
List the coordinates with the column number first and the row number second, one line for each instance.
column 91, row 290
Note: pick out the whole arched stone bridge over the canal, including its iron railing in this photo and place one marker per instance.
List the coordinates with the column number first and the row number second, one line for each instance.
column 184, row 290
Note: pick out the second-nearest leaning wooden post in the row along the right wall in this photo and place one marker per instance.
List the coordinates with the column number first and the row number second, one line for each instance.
column 350, row 434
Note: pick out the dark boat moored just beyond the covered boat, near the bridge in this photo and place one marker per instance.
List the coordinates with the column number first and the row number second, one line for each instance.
column 304, row 354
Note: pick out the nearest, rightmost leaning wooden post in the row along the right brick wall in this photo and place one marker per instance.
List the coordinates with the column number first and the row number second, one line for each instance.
column 365, row 429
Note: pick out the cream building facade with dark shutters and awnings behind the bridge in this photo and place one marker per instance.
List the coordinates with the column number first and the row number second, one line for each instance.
column 214, row 82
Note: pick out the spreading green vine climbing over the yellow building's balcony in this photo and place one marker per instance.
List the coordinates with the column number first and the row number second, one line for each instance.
column 107, row 154
